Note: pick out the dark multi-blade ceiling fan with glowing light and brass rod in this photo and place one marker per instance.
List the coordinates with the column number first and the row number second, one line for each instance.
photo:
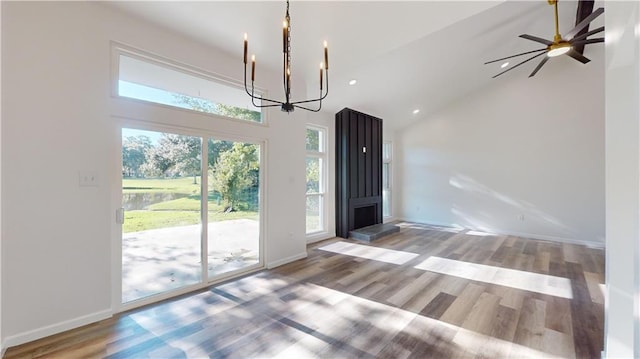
column 560, row 45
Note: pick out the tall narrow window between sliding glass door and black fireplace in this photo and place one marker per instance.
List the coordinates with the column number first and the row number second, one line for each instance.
column 316, row 182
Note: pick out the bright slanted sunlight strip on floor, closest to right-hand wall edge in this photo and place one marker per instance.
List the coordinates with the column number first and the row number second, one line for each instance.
column 533, row 282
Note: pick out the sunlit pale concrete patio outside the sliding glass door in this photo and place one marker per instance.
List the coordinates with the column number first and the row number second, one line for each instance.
column 159, row 260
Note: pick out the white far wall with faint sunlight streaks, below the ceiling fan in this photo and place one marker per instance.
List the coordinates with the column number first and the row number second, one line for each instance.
column 523, row 146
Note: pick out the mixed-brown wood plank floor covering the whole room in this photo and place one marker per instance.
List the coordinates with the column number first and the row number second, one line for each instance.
column 374, row 303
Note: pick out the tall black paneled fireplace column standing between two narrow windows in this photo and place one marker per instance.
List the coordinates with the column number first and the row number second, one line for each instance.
column 358, row 168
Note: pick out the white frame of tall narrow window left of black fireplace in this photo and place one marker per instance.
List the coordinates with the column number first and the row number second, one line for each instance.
column 323, row 178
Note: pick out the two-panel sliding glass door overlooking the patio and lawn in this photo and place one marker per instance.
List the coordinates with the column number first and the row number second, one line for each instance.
column 173, row 184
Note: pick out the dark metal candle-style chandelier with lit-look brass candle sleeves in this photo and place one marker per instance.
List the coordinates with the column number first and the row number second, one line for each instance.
column 286, row 105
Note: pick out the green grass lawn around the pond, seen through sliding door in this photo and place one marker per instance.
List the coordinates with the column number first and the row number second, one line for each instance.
column 177, row 212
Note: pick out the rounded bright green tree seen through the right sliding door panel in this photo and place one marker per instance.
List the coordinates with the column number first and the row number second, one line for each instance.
column 235, row 172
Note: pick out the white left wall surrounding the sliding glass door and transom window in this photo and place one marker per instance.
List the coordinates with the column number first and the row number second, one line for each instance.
column 58, row 119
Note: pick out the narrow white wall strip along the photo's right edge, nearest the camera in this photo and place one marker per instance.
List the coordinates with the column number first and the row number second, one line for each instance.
column 622, row 336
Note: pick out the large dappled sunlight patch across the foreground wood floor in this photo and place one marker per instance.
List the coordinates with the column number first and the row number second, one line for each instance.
column 315, row 319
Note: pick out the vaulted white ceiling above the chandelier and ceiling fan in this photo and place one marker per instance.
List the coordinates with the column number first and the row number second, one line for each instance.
column 404, row 55
